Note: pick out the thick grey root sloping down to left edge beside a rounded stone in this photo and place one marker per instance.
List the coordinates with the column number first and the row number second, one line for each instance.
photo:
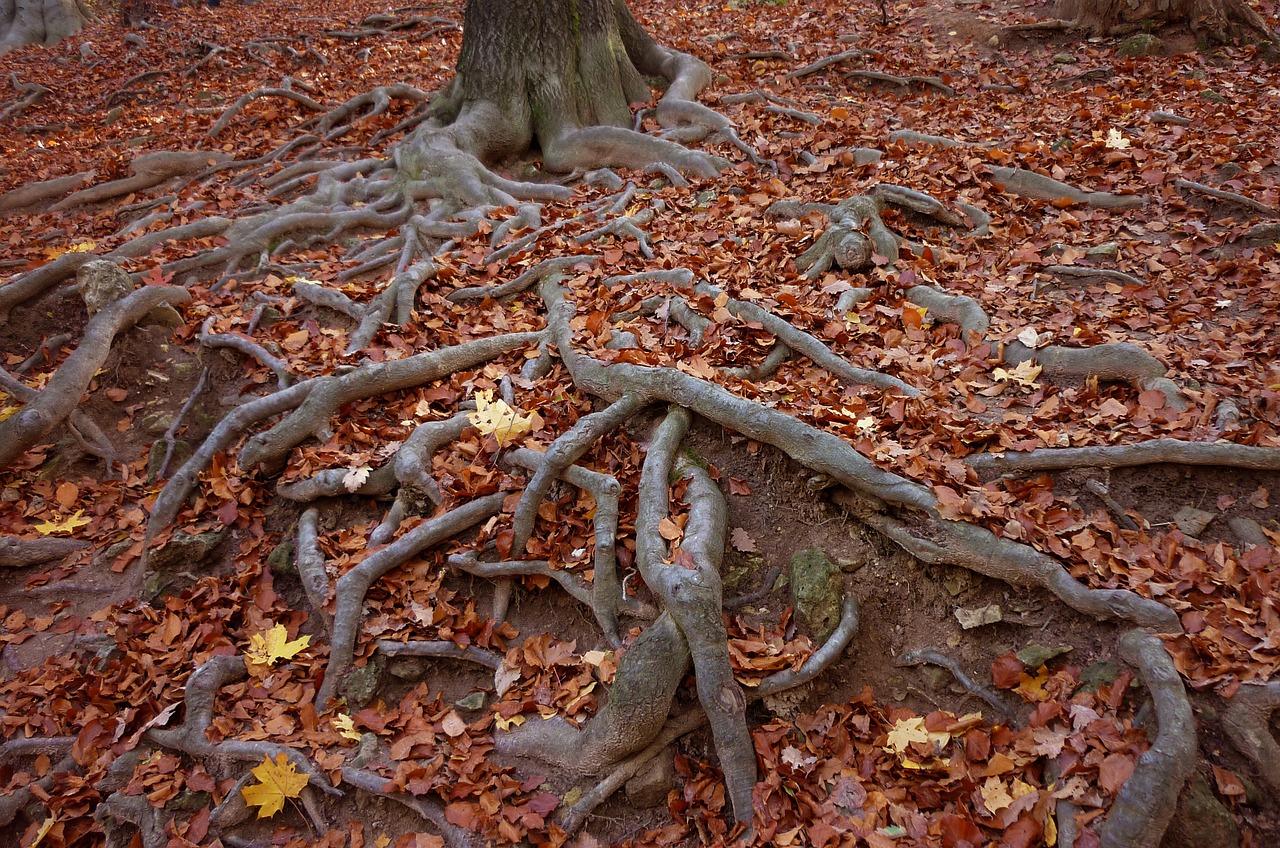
column 63, row 393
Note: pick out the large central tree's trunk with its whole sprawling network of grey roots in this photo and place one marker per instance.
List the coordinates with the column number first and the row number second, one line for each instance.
column 568, row 90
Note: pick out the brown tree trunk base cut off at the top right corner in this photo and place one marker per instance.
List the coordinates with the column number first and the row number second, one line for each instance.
column 1213, row 21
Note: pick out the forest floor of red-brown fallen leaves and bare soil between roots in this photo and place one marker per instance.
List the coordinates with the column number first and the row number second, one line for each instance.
column 99, row 648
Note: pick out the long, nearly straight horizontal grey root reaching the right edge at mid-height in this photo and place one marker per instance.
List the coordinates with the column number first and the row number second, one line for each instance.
column 1156, row 452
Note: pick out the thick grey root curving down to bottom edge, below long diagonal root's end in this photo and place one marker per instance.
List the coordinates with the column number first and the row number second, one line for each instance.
column 1149, row 799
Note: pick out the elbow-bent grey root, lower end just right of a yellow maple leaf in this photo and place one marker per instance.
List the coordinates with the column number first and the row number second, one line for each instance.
column 353, row 586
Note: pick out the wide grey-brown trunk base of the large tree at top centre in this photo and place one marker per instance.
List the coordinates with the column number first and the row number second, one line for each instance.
column 563, row 75
